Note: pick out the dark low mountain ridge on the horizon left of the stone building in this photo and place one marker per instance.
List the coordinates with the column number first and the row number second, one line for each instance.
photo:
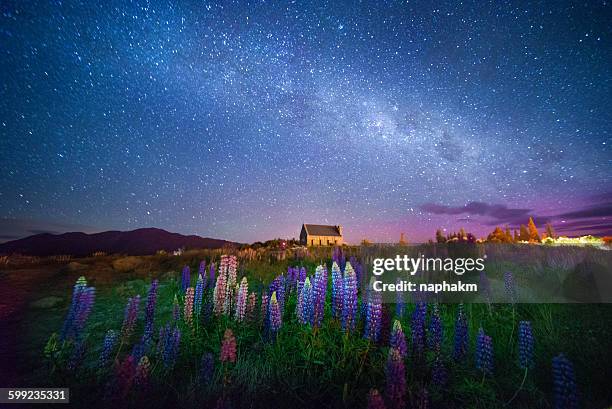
column 134, row 242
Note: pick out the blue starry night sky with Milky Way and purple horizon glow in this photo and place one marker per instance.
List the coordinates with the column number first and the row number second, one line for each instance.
column 241, row 120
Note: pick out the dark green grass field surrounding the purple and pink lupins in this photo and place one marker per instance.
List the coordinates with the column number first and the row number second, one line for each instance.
column 297, row 366
